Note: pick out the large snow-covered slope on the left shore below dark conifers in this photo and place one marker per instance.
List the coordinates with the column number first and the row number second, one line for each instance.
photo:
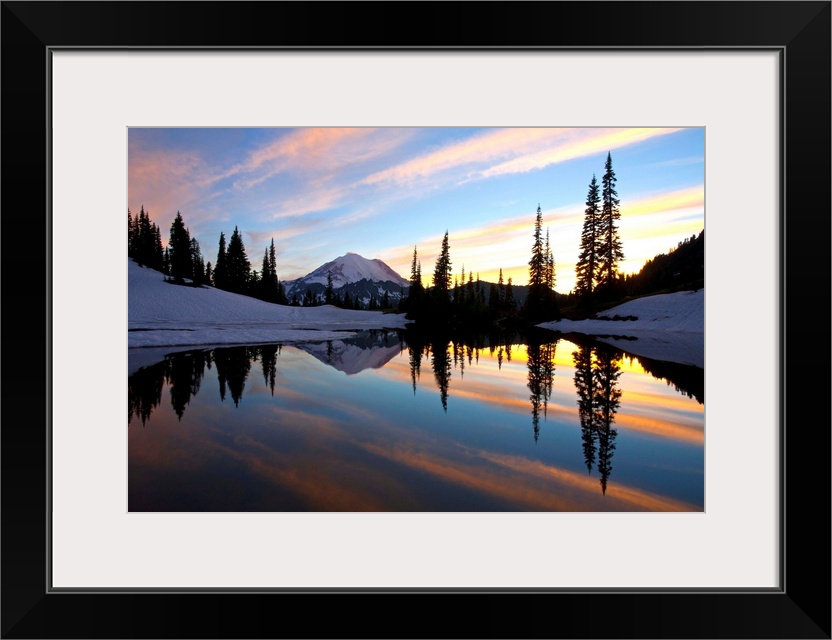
column 163, row 314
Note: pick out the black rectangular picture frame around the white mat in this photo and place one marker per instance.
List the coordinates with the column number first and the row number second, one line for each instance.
column 800, row 31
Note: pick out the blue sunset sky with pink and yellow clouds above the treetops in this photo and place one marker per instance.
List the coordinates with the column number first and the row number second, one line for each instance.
column 322, row 192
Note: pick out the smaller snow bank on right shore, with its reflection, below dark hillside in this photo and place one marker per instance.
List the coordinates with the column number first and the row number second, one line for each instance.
column 670, row 327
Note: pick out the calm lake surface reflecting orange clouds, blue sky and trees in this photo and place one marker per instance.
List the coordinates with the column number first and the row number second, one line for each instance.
column 383, row 422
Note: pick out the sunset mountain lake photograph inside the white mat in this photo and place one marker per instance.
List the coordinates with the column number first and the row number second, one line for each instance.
column 321, row 379
